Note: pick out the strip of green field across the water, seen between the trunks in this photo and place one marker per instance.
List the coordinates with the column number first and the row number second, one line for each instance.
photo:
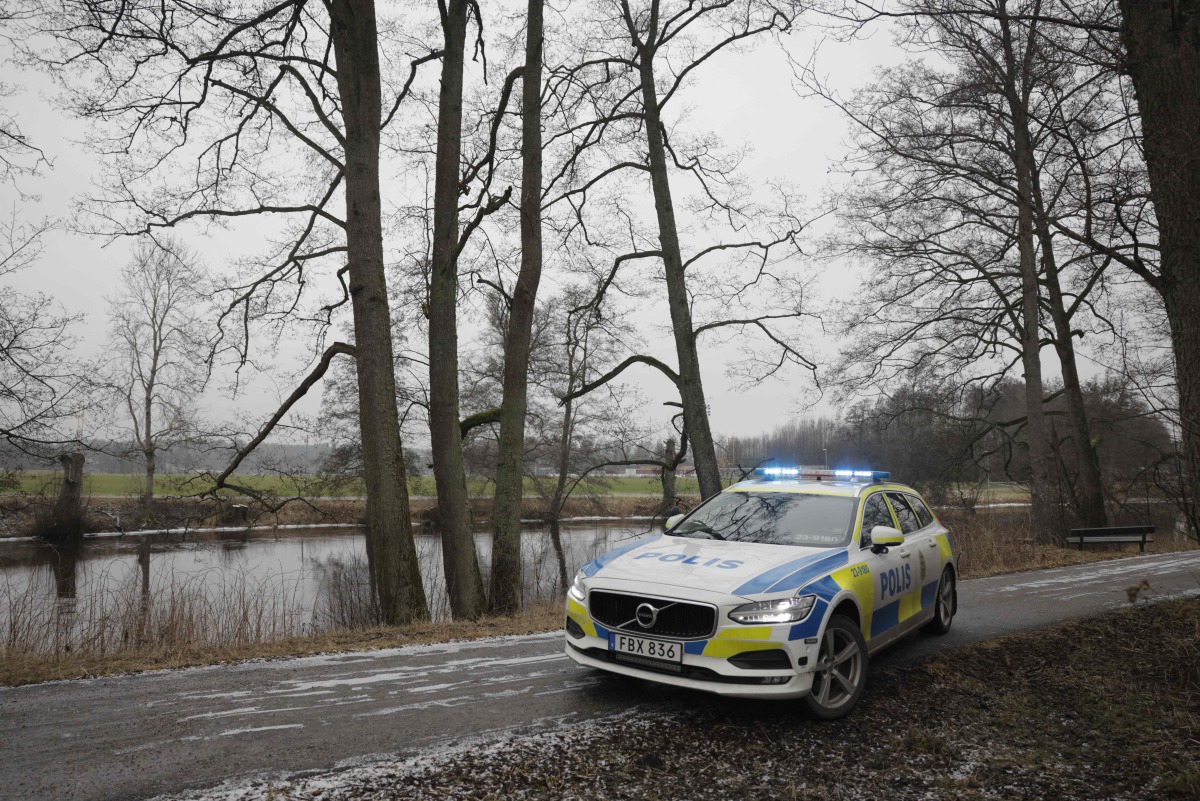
column 122, row 485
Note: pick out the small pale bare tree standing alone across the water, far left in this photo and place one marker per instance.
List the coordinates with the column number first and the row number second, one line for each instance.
column 158, row 346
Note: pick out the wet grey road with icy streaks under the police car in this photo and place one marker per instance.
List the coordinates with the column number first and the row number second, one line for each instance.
column 143, row 736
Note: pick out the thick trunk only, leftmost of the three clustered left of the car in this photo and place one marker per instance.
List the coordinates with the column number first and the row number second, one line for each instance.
column 392, row 555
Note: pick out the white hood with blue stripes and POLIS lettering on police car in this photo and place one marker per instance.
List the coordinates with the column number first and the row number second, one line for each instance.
column 737, row 569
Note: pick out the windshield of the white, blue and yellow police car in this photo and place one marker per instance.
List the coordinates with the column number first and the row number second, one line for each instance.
column 776, row 519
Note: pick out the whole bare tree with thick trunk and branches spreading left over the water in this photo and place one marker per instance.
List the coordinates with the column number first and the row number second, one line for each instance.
column 197, row 105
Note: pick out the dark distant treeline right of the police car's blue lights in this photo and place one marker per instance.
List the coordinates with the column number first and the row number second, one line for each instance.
column 946, row 443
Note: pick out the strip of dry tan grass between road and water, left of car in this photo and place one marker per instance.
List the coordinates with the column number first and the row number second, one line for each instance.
column 28, row 668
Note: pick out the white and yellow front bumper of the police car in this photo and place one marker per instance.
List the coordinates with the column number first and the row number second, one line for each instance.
column 709, row 665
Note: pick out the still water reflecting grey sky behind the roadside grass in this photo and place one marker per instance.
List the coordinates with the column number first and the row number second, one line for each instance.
column 314, row 579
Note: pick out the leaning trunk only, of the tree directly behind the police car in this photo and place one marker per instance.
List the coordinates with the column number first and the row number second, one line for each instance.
column 692, row 392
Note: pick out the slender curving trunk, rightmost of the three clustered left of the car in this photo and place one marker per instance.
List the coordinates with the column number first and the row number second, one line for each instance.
column 511, row 465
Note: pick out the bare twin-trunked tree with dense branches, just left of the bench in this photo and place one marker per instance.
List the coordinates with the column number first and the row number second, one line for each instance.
column 964, row 180
